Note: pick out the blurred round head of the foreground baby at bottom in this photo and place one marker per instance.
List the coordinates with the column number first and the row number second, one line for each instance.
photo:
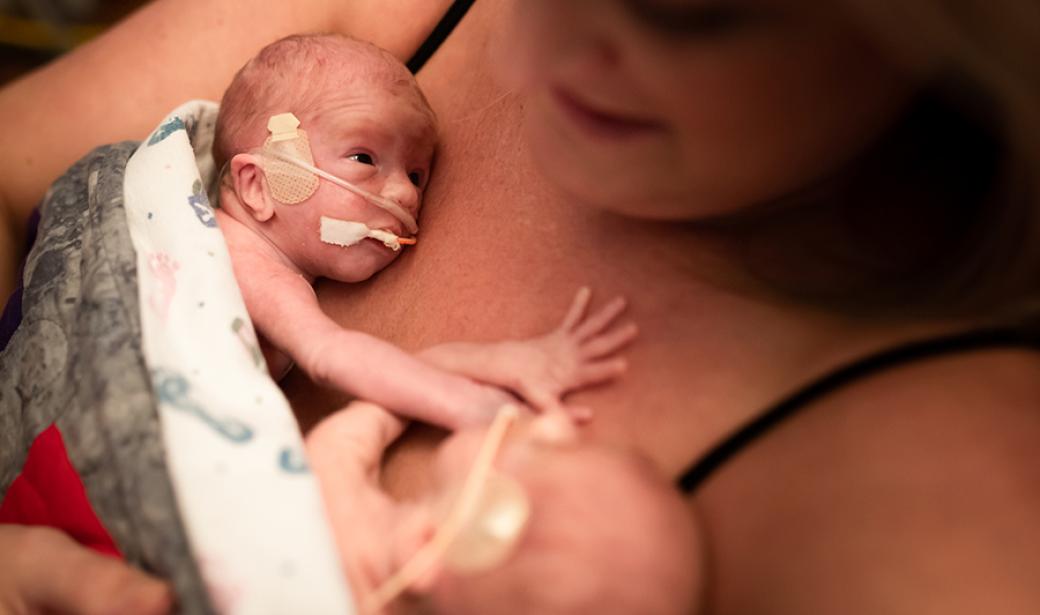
column 605, row 532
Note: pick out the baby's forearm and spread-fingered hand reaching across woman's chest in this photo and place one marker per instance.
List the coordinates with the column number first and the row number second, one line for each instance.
column 579, row 353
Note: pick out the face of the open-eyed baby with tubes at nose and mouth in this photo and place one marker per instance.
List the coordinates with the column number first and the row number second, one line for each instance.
column 380, row 141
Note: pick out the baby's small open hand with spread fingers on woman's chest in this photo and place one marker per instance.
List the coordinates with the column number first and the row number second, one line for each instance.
column 583, row 351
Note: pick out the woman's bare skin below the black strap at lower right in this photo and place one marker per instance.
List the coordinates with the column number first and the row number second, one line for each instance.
column 913, row 491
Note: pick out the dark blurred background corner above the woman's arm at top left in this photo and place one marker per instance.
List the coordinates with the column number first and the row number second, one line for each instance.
column 35, row 32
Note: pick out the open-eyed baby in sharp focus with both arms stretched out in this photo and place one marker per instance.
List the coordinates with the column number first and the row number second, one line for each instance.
column 327, row 146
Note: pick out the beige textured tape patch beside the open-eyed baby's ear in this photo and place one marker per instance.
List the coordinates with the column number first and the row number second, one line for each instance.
column 289, row 184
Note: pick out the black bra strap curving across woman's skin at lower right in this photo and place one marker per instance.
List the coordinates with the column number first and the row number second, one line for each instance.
column 862, row 369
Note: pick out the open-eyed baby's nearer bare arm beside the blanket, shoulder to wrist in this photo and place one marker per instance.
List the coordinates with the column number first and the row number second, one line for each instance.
column 285, row 311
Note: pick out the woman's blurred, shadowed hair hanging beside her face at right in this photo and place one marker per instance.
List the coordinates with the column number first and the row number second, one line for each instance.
column 941, row 217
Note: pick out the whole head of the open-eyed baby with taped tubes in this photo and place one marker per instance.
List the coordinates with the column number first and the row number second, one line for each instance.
column 361, row 118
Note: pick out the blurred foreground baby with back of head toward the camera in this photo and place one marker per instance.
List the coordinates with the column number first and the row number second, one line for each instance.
column 529, row 520
